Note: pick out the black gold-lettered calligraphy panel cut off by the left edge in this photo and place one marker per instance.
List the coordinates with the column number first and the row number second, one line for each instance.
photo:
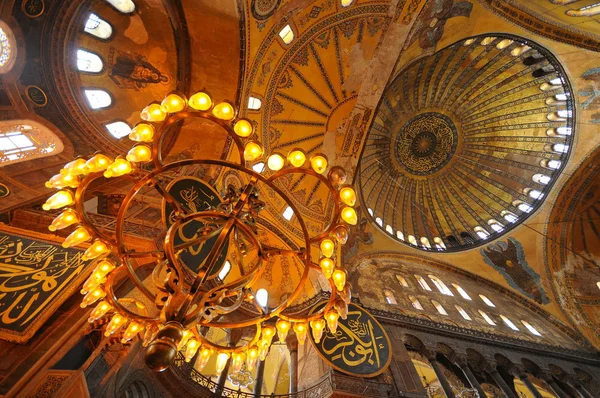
column 35, row 278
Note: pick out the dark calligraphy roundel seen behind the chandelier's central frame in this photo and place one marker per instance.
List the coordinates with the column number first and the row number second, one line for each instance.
column 194, row 195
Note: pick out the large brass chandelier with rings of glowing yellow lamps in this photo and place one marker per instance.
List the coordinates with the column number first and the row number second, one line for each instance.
column 176, row 308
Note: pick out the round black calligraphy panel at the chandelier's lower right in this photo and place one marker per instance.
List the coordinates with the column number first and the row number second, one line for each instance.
column 360, row 346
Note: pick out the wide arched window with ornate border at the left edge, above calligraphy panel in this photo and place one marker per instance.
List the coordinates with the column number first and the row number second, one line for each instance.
column 22, row 140
